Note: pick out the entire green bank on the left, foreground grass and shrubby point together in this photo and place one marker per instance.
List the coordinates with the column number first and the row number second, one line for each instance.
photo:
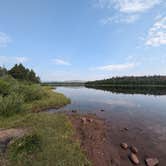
column 49, row 137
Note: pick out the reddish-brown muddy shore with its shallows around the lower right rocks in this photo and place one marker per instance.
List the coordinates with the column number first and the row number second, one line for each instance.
column 101, row 141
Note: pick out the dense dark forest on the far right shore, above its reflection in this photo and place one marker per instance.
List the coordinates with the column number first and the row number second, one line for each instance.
column 130, row 81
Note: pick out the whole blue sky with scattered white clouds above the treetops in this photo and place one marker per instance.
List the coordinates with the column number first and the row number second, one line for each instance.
column 85, row 39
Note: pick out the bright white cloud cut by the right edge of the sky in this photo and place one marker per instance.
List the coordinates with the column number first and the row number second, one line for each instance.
column 157, row 33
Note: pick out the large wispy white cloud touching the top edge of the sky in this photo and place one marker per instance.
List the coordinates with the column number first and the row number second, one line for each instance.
column 128, row 11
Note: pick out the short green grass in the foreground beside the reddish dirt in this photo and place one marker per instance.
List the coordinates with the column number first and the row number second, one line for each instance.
column 48, row 143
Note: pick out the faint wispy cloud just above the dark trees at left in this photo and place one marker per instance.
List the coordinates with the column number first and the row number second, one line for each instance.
column 7, row 60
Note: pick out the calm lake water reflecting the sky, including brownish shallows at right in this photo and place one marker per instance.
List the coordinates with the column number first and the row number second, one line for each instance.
column 144, row 115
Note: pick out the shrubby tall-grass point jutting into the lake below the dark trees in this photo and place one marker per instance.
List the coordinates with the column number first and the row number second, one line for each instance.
column 16, row 96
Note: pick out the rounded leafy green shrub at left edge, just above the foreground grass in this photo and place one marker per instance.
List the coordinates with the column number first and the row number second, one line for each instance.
column 11, row 104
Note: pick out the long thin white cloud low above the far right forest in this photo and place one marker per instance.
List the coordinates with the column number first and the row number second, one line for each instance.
column 116, row 67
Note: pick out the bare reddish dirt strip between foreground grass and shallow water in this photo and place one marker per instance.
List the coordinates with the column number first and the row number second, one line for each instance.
column 92, row 133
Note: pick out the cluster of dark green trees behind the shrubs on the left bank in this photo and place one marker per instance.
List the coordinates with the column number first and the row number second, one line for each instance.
column 19, row 72
